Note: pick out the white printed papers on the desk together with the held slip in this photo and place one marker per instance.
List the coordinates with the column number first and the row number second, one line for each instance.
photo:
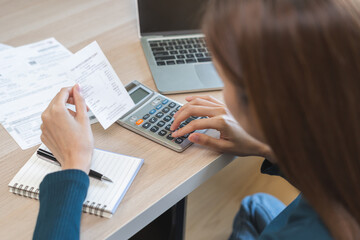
column 31, row 75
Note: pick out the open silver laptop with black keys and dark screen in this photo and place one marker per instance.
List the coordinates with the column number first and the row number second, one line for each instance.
column 174, row 46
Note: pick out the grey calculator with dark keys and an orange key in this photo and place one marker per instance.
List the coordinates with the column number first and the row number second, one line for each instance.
column 152, row 117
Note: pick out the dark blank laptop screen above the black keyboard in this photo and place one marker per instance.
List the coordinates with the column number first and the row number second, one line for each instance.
column 161, row 16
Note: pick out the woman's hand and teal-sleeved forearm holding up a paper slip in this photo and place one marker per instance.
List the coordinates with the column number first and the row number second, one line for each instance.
column 68, row 135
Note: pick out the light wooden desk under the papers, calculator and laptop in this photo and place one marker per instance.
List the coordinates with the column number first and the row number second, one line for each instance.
column 166, row 176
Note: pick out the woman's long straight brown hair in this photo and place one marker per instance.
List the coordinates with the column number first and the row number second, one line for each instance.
column 299, row 63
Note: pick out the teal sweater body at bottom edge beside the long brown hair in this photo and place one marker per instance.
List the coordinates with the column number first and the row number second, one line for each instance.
column 298, row 221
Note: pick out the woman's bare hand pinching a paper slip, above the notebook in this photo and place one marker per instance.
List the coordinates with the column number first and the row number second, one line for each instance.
column 66, row 133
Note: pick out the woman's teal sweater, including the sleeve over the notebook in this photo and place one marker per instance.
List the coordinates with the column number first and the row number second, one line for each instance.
column 63, row 193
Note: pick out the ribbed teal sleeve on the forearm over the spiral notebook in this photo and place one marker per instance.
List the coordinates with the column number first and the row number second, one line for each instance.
column 61, row 198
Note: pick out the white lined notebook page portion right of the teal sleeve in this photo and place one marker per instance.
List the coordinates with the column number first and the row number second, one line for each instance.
column 120, row 169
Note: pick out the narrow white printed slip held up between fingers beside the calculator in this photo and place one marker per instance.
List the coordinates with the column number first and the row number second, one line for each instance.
column 103, row 91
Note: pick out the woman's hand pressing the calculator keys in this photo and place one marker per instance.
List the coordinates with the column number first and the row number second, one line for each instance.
column 233, row 138
